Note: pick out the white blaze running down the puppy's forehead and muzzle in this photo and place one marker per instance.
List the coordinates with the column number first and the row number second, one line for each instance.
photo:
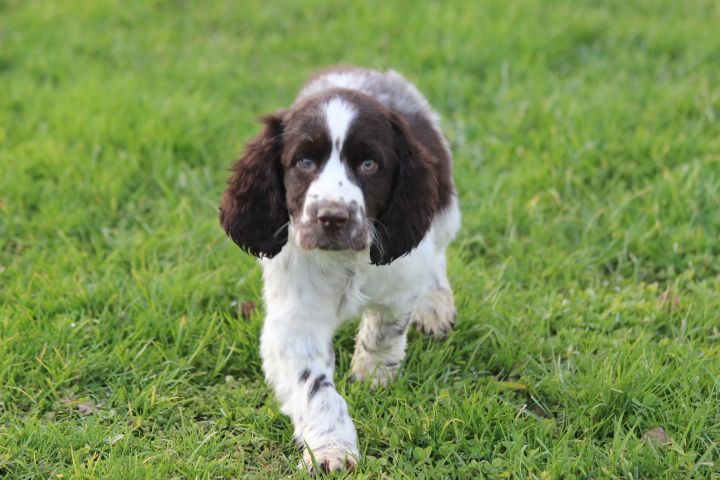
column 333, row 183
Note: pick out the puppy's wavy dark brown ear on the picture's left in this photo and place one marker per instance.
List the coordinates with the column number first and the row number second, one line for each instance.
column 253, row 211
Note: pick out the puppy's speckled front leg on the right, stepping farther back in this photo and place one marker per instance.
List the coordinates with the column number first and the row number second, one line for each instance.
column 380, row 346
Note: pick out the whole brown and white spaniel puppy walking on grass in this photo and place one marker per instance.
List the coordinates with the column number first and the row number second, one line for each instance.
column 348, row 198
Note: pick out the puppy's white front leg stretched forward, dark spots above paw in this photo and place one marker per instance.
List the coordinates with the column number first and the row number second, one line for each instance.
column 299, row 362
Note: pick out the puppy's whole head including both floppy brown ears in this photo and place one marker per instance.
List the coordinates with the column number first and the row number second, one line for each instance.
column 343, row 170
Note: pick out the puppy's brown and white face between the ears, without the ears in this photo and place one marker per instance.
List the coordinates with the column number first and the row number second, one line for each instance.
column 339, row 165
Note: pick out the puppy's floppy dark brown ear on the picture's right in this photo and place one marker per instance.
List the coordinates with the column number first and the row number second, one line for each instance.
column 413, row 200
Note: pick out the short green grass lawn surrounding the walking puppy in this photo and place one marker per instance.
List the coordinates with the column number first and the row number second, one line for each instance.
column 586, row 138
